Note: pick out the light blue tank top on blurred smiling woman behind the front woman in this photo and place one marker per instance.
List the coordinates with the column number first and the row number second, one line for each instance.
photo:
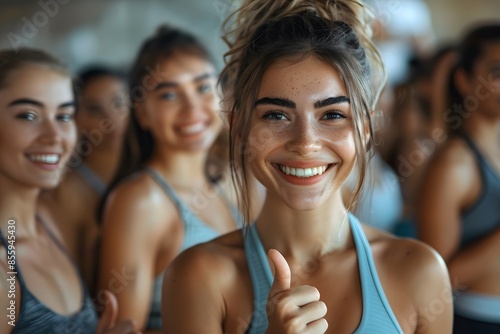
column 195, row 232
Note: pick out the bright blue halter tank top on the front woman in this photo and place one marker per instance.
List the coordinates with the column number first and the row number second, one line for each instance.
column 377, row 316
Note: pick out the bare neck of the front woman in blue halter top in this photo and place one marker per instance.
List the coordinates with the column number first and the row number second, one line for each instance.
column 301, row 235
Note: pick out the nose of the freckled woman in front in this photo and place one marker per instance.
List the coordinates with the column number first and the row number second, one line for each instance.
column 304, row 137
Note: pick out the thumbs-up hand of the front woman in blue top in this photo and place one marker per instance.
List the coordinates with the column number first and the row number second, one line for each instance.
column 296, row 310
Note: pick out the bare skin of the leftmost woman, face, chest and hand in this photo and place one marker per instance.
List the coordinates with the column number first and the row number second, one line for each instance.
column 44, row 125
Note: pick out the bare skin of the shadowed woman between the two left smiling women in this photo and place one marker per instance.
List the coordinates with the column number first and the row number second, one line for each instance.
column 101, row 122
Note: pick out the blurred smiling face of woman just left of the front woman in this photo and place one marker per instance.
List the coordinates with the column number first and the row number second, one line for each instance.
column 182, row 109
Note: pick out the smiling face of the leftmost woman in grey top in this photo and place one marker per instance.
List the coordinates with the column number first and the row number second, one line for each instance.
column 37, row 130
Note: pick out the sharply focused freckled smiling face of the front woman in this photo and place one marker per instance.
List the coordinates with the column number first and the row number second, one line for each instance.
column 301, row 140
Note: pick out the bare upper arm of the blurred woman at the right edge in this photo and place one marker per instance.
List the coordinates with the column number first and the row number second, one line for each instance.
column 444, row 190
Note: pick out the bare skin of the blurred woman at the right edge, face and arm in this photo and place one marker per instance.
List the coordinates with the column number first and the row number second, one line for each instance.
column 453, row 182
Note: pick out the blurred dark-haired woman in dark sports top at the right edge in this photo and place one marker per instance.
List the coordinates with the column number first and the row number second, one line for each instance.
column 459, row 205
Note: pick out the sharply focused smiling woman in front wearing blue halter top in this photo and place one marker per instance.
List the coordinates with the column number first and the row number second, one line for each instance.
column 298, row 89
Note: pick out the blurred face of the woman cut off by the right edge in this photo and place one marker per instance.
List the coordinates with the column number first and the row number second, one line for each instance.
column 483, row 85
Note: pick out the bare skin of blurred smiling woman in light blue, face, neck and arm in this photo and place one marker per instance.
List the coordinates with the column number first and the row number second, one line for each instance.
column 142, row 230
